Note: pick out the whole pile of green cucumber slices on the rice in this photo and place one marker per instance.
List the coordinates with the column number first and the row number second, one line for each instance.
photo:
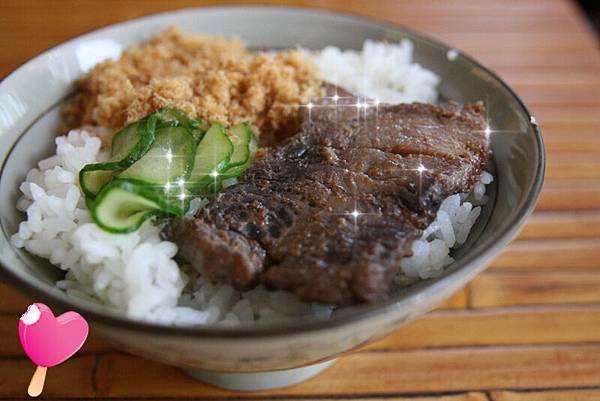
column 159, row 164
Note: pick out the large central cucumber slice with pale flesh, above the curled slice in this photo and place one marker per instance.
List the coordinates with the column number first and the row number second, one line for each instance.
column 169, row 160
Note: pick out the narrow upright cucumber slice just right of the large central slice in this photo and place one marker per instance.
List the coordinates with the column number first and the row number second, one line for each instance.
column 213, row 154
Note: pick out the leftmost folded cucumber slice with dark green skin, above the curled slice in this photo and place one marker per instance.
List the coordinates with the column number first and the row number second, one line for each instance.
column 128, row 145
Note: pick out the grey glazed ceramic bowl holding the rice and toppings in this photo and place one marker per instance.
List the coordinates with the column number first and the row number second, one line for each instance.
column 271, row 356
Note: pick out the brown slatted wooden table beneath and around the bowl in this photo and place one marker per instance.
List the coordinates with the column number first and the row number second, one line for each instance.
column 527, row 329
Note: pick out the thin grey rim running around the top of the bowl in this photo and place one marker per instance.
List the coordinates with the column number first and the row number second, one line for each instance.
column 489, row 248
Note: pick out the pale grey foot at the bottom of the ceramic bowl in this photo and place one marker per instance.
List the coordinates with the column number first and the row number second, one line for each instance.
column 257, row 381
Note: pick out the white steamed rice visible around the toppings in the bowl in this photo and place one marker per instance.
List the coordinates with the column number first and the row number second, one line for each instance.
column 136, row 274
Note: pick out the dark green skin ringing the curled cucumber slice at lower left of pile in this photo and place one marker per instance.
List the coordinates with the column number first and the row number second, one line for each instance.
column 138, row 188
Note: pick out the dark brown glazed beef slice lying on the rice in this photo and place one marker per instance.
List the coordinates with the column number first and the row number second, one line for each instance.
column 290, row 222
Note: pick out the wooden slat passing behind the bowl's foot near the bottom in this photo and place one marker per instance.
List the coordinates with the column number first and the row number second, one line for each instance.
column 381, row 373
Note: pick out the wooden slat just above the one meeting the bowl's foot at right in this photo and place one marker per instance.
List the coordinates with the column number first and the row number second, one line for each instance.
column 503, row 326
